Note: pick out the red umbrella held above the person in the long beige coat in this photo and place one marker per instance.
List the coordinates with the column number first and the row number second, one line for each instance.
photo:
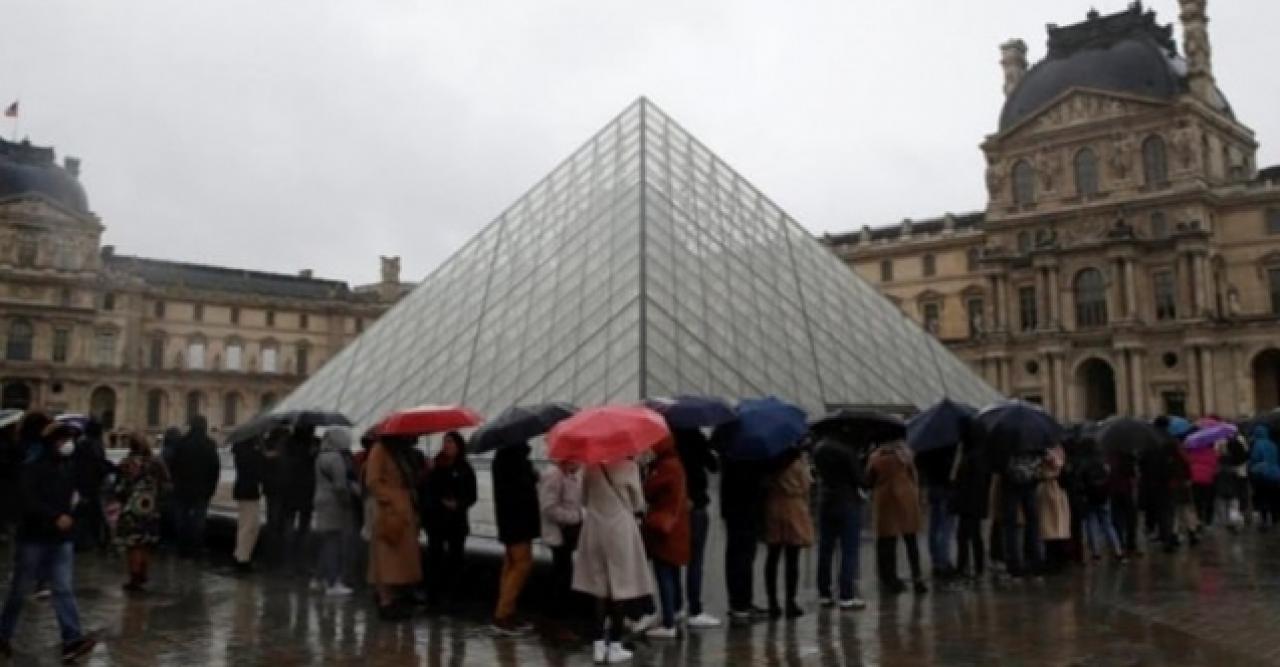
column 607, row 435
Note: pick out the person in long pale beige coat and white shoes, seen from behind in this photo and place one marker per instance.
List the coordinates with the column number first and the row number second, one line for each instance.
column 611, row 556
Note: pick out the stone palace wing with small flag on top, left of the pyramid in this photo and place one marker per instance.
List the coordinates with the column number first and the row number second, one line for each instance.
column 147, row 344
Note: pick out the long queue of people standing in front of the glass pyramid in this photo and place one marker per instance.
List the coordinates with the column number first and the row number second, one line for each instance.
column 630, row 536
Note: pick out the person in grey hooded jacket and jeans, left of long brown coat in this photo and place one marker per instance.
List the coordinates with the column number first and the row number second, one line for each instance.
column 335, row 510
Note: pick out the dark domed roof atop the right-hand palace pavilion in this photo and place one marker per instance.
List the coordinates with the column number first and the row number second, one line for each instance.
column 1126, row 53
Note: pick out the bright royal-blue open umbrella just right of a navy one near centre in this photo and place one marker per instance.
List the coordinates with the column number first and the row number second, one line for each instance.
column 765, row 430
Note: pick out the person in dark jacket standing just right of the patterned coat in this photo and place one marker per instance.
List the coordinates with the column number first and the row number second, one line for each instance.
column 196, row 469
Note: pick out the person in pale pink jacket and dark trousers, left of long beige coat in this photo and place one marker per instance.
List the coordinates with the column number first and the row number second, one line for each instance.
column 560, row 496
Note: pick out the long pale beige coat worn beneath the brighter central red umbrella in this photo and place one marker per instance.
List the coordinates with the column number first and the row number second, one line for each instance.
column 611, row 560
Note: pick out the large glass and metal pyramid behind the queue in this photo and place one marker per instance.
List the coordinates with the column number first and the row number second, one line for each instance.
column 642, row 267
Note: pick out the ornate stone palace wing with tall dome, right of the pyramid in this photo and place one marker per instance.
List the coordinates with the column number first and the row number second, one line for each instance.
column 1128, row 261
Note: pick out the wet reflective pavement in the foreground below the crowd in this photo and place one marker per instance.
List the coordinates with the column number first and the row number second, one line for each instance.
column 1215, row 606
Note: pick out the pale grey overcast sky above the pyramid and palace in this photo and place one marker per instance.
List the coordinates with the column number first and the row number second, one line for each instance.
column 317, row 134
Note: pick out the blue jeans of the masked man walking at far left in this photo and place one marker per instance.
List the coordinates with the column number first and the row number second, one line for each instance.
column 30, row 561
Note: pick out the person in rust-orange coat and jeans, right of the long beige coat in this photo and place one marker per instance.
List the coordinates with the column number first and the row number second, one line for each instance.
column 666, row 532
